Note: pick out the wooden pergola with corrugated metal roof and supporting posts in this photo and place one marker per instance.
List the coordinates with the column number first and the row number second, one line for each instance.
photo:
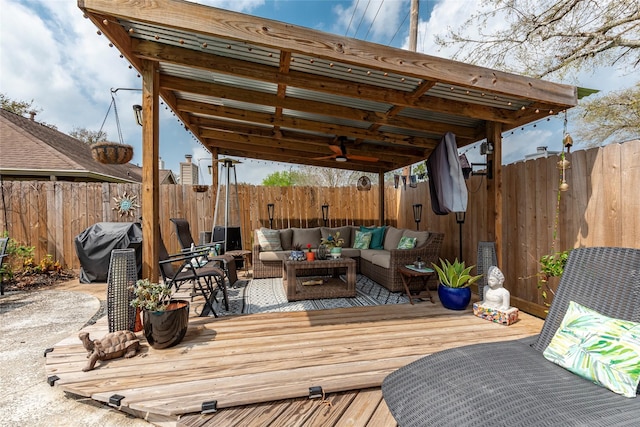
column 251, row 87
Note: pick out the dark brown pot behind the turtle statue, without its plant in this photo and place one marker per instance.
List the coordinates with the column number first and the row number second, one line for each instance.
column 164, row 329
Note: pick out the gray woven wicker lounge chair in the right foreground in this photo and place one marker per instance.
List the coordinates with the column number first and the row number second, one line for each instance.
column 511, row 383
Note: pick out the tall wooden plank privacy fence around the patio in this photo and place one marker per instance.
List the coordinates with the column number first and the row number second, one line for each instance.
column 601, row 208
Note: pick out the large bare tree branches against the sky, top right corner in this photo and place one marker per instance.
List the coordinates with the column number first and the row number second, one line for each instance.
column 540, row 37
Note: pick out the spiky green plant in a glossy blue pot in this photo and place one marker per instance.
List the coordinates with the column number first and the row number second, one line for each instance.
column 455, row 279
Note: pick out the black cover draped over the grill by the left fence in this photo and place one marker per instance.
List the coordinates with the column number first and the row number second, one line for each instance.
column 94, row 246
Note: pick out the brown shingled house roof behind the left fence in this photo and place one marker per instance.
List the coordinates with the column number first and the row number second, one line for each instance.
column 30, row 150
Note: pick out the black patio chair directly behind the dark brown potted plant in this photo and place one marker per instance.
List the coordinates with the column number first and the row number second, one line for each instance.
column 206, row 279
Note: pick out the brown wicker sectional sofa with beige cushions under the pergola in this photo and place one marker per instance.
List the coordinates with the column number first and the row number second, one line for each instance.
column 380, row 265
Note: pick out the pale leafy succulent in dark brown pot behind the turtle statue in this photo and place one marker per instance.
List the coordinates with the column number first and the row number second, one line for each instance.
column 165, row 320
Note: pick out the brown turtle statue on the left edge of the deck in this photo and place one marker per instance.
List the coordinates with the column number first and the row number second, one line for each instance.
column 111, row 346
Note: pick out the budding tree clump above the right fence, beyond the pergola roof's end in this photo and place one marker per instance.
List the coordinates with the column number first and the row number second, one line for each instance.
column 614, row 115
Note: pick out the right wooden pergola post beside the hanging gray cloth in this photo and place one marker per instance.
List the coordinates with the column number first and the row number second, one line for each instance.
column 494, row 188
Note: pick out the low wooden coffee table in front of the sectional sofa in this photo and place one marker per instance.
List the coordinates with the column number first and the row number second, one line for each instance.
column 296, row 273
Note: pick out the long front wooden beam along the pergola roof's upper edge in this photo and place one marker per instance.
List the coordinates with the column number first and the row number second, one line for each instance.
column 200, row 19
